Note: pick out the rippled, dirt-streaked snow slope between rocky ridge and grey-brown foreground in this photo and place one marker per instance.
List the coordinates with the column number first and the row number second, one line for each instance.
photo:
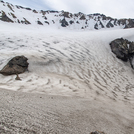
column 67, row 62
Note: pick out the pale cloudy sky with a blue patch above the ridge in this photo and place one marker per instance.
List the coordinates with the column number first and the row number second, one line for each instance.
column 112, row 8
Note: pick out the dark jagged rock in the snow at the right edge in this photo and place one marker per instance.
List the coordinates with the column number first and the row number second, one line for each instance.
column 123, row 49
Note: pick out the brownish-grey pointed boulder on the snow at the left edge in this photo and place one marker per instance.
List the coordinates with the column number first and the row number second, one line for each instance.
column 16, row 65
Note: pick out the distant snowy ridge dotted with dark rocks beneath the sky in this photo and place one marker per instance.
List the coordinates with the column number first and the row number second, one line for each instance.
column 18, row 14
